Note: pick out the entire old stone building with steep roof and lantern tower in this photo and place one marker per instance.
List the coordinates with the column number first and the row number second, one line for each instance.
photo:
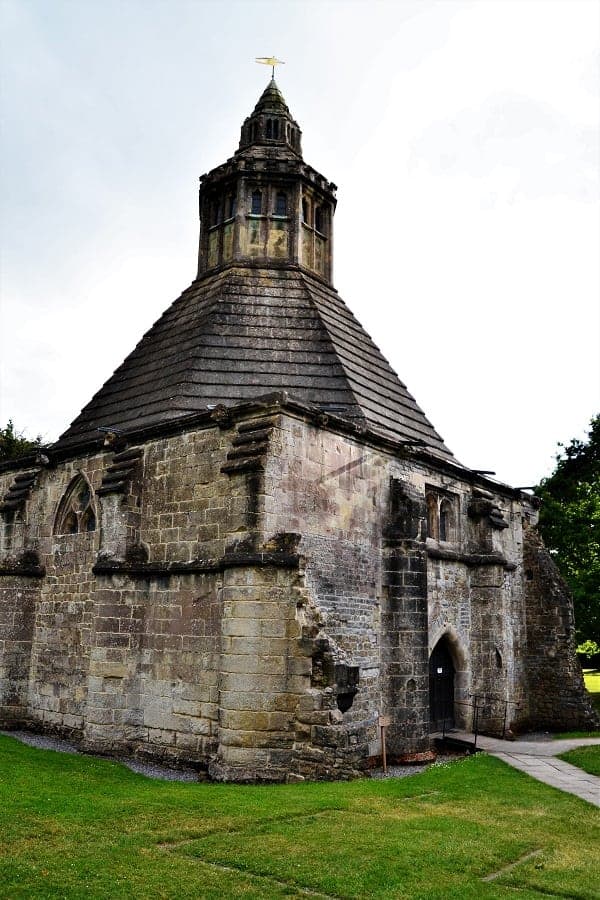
column 252, row 543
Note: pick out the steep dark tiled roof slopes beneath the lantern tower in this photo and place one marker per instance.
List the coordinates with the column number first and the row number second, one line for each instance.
column 245, row 332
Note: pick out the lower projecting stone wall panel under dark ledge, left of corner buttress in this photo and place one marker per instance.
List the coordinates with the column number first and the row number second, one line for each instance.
column 154, row 663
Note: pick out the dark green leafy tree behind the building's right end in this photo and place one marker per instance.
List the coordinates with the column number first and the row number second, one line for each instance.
column 570, row 525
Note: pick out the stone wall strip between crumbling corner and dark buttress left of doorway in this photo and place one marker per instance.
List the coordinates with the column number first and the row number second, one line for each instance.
column 329, row 488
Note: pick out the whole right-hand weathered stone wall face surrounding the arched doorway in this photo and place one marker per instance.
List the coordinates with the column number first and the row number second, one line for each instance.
column 386, row 592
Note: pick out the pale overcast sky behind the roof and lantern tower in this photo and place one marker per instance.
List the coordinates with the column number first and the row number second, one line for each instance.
column 464, row 140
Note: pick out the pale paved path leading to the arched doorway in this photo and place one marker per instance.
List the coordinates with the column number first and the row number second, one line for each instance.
column 538, row 759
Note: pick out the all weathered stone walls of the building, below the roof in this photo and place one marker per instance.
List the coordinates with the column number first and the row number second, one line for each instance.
column 258, row 591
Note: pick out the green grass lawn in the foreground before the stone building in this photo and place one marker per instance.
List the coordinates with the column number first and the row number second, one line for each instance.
column 79, row 827
